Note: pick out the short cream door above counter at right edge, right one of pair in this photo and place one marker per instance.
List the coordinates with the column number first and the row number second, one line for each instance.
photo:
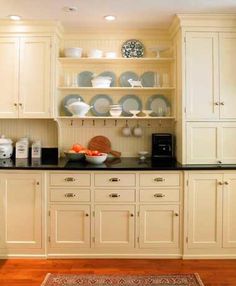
column 227, row 142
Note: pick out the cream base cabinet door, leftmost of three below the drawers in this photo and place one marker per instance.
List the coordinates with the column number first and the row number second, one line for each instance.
column 70, row 226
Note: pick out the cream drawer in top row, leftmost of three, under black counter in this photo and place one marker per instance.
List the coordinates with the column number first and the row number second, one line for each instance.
column 70, row 179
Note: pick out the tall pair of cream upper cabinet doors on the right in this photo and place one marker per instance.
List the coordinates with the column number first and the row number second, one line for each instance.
column 210, row 75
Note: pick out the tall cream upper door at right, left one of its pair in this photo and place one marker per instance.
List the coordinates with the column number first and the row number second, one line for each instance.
column 202, row 83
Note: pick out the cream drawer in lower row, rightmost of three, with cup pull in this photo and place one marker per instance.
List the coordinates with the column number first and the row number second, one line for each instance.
column 159, row 195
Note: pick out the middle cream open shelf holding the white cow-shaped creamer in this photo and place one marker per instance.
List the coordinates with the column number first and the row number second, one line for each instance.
column 116, row 88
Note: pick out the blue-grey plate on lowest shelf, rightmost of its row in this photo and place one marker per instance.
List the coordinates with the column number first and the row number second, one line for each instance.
column 158, row 104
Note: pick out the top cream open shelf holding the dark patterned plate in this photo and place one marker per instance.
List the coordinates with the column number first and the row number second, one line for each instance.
column 64, row 60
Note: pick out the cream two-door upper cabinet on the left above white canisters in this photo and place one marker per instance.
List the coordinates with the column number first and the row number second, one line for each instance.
column 26, row 77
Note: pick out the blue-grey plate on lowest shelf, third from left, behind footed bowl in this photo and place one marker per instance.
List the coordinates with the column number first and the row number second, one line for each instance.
column 130, row 102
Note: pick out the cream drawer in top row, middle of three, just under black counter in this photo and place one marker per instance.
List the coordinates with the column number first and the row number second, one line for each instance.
column 115, row 180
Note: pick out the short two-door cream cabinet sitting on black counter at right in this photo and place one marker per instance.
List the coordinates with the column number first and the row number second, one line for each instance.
column 210, row 143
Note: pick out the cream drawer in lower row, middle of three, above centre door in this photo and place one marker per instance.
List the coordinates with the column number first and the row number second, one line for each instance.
column 114, row 196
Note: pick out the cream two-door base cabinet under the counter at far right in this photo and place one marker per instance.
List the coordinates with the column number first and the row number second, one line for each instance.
column 210, row 213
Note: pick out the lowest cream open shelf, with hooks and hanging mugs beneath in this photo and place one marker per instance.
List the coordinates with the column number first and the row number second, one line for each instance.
column 116, row 118
